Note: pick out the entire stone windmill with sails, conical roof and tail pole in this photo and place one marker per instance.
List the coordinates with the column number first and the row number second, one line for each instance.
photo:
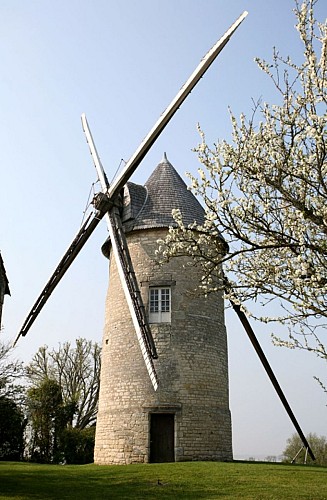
column 181, row 411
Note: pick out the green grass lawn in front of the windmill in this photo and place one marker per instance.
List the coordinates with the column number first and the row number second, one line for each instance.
column 192, row 480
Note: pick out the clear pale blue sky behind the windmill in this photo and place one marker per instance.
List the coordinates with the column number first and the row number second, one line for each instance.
column 121, row 62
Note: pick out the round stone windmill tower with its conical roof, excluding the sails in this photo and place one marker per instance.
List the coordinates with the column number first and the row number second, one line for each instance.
column 188, row 417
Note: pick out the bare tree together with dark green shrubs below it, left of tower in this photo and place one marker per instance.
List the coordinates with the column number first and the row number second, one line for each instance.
column 63, row 402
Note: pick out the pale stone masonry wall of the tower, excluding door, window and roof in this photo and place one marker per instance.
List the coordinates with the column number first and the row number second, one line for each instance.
column 192, row 367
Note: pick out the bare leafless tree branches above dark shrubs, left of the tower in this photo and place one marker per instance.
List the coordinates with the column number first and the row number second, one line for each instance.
column 76, row 370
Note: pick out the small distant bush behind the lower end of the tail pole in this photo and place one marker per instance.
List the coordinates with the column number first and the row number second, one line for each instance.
column 294, row 451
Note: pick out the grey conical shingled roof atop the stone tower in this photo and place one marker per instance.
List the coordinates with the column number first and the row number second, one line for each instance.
column 164, row 191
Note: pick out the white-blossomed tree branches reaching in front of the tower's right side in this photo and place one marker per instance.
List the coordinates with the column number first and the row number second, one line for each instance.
column 266, row 193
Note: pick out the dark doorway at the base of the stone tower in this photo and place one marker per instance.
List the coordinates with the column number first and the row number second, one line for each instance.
column 162, row 430
